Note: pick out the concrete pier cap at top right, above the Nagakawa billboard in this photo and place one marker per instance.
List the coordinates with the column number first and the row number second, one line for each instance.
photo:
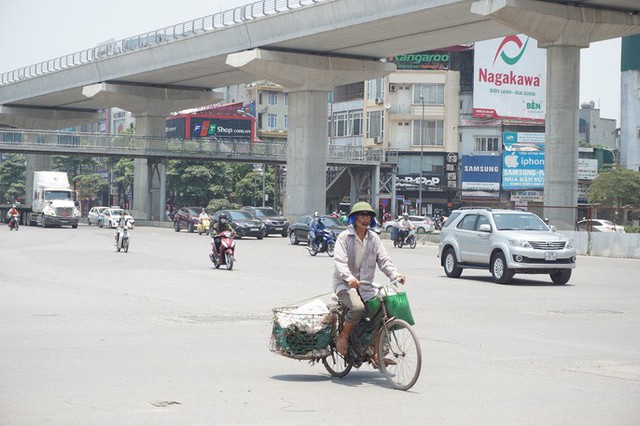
column 556, row 24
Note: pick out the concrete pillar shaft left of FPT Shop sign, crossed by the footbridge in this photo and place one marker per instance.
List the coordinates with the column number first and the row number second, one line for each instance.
column 149, row 177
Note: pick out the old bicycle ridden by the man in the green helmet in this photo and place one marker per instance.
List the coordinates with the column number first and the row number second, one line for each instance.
column 399, row 353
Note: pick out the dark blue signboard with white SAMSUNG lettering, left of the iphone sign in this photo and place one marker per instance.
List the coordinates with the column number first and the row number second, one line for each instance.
column 481, row 172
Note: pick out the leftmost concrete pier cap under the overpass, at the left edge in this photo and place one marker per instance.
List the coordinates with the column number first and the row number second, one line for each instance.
column 44, row 118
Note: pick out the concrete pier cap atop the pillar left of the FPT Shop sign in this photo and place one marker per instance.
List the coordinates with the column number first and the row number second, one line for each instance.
column 149, row 100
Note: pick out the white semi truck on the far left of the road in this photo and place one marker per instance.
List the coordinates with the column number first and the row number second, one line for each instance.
column 54, row 201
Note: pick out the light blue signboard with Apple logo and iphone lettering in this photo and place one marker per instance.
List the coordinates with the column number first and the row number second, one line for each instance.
column 522, row 170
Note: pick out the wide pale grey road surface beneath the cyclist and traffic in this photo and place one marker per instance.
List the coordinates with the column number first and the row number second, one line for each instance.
column 157, row 336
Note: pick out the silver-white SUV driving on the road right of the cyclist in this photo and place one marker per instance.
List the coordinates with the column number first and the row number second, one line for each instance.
column 506, row 242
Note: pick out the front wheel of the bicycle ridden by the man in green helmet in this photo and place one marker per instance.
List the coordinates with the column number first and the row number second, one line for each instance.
column 399, row 354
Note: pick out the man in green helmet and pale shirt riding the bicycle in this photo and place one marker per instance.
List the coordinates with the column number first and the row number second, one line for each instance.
column 358, row 250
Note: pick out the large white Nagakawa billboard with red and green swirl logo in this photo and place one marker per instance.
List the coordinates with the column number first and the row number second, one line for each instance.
column 510, row 78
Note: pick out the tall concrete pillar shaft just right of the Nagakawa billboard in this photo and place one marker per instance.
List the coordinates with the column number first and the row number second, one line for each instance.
column 561, row 136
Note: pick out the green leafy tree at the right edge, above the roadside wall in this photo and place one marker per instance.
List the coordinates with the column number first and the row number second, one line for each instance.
column 616, row 187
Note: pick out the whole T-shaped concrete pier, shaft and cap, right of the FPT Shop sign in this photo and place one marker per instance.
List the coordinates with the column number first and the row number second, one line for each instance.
column 307, row 79
